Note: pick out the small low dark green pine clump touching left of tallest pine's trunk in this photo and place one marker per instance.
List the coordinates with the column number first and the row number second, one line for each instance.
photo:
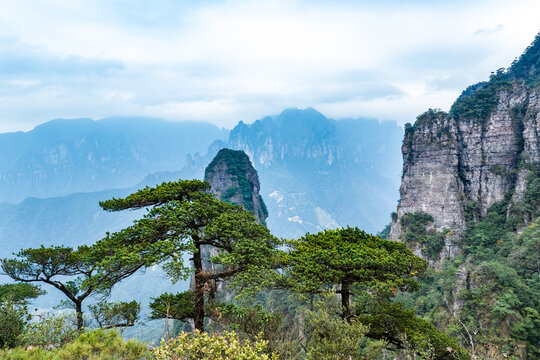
column 178, row 306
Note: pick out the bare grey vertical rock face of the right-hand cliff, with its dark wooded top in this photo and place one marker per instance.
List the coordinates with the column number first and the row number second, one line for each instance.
column 458, row 164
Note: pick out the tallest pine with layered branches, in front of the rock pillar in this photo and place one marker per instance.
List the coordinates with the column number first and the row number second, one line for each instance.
column 184, row 219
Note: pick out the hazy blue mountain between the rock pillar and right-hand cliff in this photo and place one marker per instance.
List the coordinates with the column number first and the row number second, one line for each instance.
column 316, row 172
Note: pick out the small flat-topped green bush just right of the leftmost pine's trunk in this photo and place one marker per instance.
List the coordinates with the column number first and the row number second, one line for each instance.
column 116, row 314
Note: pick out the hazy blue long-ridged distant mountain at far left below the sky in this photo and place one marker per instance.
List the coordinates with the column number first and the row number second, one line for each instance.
column 62, row 157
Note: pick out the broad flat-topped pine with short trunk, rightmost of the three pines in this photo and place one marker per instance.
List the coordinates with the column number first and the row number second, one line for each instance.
column 349, row 258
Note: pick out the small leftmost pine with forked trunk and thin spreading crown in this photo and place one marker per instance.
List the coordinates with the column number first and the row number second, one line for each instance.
column 73, row 272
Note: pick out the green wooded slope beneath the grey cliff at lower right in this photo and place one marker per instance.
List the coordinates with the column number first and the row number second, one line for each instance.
column 499, row 296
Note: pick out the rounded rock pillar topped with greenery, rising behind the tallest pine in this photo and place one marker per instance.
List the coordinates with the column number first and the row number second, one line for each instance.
column 233, row 179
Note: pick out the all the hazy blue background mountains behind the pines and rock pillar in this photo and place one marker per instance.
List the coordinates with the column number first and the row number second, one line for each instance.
column 314, row 172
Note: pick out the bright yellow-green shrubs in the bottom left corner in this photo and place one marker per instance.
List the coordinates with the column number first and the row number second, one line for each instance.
column 92, row 345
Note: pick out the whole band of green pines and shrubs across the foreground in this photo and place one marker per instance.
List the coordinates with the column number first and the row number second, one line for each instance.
column 330, row 295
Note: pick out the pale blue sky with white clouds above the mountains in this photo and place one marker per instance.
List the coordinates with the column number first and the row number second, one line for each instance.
column 225, row 61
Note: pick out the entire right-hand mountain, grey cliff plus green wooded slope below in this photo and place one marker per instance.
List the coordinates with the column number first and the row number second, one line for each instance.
column 470, row 204
